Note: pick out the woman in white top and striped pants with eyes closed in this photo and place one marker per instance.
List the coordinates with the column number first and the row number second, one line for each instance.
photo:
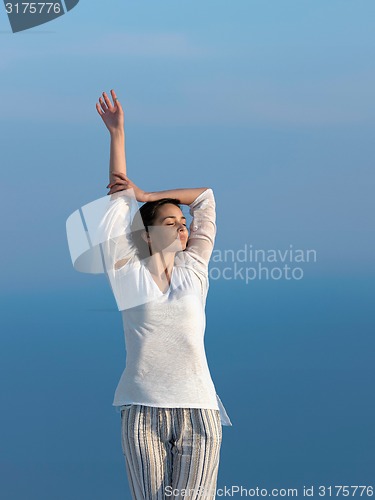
column 171, row 416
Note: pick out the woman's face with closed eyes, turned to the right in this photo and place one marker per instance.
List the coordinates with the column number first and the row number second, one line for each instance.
column 169, row 232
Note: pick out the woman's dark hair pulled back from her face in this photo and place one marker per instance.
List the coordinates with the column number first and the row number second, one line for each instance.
column 144, row 218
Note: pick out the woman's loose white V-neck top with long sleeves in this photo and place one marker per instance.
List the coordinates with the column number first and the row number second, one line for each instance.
column 166, row 364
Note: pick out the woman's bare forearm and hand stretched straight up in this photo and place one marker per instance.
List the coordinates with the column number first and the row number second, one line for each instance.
column 113, row 118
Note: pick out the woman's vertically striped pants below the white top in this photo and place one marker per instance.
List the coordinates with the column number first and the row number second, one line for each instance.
column 171, row 452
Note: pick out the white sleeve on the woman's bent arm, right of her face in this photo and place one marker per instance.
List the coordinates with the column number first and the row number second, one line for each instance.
column 202, row 228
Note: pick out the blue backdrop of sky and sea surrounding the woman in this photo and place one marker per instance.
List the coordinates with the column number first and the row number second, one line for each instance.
column 272, row 105
